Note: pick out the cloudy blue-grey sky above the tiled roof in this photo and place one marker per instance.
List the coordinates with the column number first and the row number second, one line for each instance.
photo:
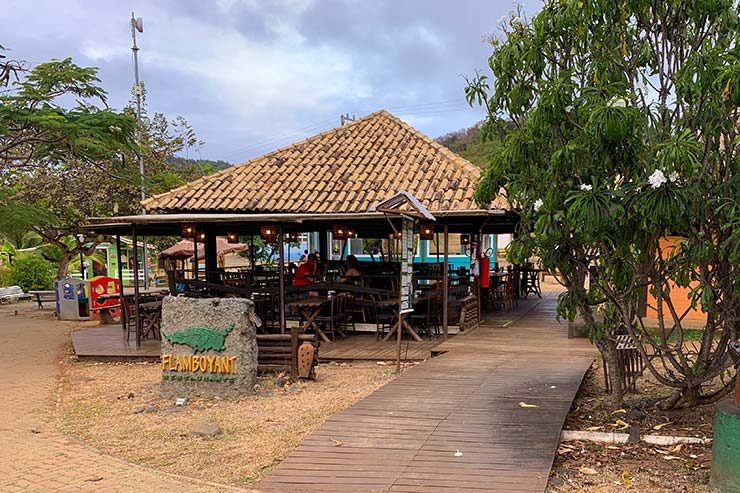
column 251, row 76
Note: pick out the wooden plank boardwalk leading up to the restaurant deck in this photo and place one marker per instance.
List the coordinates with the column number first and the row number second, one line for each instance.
column 405, row 436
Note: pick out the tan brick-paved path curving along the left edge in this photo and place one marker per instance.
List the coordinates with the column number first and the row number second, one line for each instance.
column 32, row 458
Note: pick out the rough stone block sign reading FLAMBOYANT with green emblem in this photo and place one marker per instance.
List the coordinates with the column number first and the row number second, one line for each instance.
column 209, row 346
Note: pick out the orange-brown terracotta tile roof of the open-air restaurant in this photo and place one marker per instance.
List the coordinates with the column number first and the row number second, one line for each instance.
column 346, row 169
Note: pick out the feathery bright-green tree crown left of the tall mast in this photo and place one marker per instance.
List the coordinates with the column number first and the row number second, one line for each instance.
column 36, row 128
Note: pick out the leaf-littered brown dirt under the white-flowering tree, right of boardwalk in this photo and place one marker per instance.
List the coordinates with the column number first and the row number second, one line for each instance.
column 603, row 468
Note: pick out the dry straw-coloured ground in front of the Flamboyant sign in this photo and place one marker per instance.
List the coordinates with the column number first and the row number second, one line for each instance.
column 102, row 404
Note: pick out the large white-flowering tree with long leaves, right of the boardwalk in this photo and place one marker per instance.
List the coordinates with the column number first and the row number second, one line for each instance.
column 625, row 120
